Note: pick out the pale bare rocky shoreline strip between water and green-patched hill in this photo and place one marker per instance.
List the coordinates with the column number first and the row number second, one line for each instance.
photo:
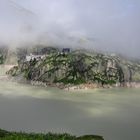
column 67, row 87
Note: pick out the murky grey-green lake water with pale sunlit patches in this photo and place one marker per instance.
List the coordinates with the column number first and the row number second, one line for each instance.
column 112, row 113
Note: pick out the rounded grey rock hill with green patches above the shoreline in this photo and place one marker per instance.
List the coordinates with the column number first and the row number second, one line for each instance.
column 78, row 68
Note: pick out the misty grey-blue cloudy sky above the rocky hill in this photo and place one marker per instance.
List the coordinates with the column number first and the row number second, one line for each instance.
column 107, row 25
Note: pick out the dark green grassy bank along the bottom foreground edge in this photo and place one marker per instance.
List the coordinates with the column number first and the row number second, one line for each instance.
column 5, row 135
